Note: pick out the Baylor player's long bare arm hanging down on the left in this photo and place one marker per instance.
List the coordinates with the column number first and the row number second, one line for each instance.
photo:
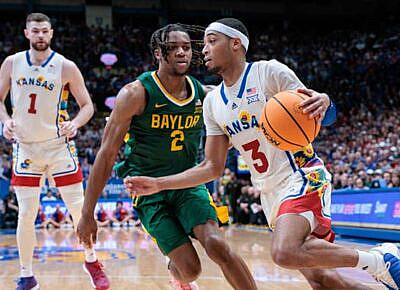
column 130, row 101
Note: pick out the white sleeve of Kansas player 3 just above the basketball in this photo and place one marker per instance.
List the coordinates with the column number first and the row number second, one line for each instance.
column 278, row 77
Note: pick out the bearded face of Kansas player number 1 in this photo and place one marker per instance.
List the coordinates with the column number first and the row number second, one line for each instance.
column 39, row 34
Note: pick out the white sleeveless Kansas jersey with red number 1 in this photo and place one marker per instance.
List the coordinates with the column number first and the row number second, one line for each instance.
column 38, row 98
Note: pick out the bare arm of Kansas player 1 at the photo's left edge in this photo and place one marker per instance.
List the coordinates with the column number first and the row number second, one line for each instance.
column 5, row 84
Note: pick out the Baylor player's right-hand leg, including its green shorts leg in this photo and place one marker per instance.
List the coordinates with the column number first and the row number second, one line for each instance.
column 204, row 226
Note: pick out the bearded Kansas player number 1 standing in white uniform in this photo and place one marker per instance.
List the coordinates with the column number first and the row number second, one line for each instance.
column 37, row 80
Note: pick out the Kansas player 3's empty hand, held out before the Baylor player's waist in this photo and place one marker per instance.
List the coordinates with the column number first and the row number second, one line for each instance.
column 141, row 185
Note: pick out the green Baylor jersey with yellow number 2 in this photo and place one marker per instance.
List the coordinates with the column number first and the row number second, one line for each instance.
column 165, row 138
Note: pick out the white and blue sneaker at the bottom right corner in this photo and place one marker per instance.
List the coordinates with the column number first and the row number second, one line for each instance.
column 388, row 270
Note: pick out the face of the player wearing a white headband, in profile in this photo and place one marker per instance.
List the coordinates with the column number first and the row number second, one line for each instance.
column 217, row 52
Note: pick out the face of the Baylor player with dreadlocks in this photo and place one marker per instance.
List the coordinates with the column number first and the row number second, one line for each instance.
column 179, row 53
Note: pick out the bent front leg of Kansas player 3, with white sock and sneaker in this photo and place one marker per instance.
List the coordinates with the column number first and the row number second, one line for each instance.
column 291, row 248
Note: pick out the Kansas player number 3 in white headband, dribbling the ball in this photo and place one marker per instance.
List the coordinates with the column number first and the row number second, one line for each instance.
column 295, row 185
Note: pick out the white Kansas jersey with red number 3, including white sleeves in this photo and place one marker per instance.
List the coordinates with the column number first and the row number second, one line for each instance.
column 234, row 111
